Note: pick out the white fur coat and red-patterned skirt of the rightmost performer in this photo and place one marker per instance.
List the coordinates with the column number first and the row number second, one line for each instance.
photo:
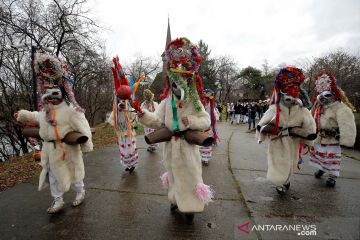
column 326, row 154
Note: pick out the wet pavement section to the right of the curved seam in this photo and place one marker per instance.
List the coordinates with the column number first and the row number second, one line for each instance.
column 335, row 212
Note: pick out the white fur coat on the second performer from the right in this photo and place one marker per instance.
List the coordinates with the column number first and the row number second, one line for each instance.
column 283, row 153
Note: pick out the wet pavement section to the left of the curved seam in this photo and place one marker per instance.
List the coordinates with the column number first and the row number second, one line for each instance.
column 120, row 205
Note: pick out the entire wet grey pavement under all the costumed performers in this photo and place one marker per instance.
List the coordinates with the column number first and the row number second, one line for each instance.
column 120, row 205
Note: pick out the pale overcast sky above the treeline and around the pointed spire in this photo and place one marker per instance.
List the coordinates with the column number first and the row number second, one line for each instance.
column 281, row 31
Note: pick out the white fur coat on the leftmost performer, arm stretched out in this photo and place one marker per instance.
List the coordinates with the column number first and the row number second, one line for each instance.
column 68, row 171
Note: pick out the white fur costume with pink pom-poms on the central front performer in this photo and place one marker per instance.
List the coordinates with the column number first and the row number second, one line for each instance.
column 182, row 160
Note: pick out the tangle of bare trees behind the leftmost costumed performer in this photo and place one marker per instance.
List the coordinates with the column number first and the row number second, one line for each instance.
column 64, row 27
